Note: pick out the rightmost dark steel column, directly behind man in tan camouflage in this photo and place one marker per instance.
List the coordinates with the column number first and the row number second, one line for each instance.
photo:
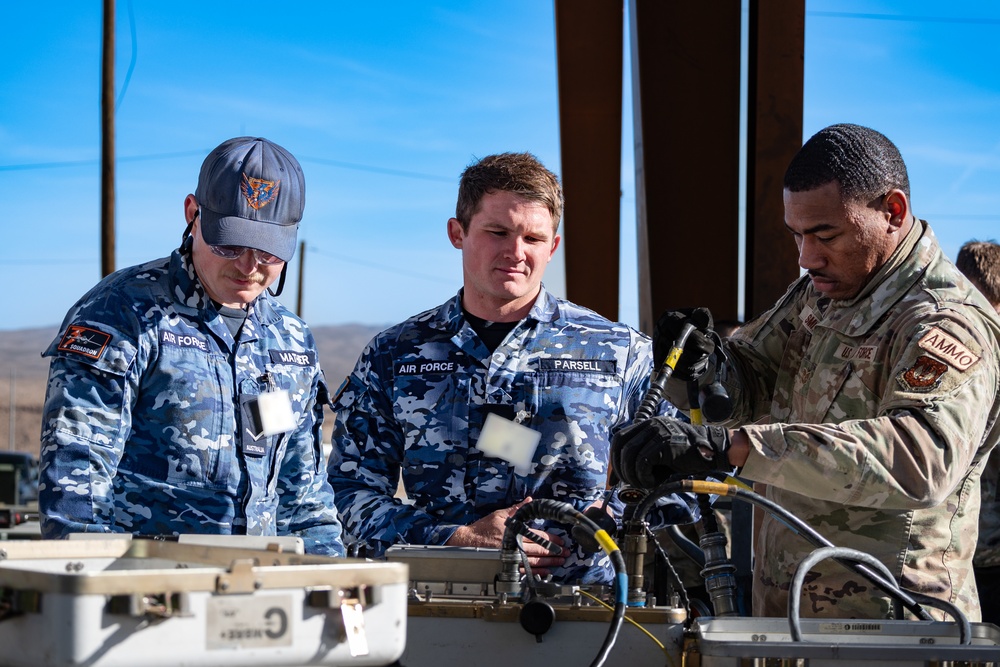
column 774, row 134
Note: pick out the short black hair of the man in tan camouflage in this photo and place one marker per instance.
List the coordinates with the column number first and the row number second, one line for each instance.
column 864, row 162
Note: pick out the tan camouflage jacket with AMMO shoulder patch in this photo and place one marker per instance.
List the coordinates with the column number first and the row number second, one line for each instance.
column 871, row 419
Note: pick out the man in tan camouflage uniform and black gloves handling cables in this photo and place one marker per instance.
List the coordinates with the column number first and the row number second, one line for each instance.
column 865, row 399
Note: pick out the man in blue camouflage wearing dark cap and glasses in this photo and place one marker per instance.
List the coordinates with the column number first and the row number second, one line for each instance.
column 182, row 397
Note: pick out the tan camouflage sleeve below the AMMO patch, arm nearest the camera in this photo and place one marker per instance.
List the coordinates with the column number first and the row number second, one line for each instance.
column 928, row 421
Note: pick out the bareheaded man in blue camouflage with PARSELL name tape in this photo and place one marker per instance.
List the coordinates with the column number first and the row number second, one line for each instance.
column 503, row 361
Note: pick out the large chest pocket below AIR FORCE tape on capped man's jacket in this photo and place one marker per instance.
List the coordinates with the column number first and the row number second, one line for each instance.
column 186, row 434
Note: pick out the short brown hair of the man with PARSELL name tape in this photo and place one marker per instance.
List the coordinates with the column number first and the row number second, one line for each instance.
column 519, row 173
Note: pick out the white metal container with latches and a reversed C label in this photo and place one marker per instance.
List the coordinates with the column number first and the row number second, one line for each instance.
column 105, row 603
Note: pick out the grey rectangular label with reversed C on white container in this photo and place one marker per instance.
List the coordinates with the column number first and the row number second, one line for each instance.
column 240, row 621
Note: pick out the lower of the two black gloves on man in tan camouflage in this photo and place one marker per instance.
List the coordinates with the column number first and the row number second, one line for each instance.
column 647, row 453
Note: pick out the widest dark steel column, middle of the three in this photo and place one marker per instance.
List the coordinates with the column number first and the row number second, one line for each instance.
column 686, row 96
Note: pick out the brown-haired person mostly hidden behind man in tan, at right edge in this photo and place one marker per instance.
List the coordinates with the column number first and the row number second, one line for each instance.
column 979, row 261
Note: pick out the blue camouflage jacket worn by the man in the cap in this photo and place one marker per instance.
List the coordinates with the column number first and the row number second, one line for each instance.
column 147, row 428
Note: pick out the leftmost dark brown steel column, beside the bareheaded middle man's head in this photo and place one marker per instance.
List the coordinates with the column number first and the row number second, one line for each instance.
column 589, row 52
